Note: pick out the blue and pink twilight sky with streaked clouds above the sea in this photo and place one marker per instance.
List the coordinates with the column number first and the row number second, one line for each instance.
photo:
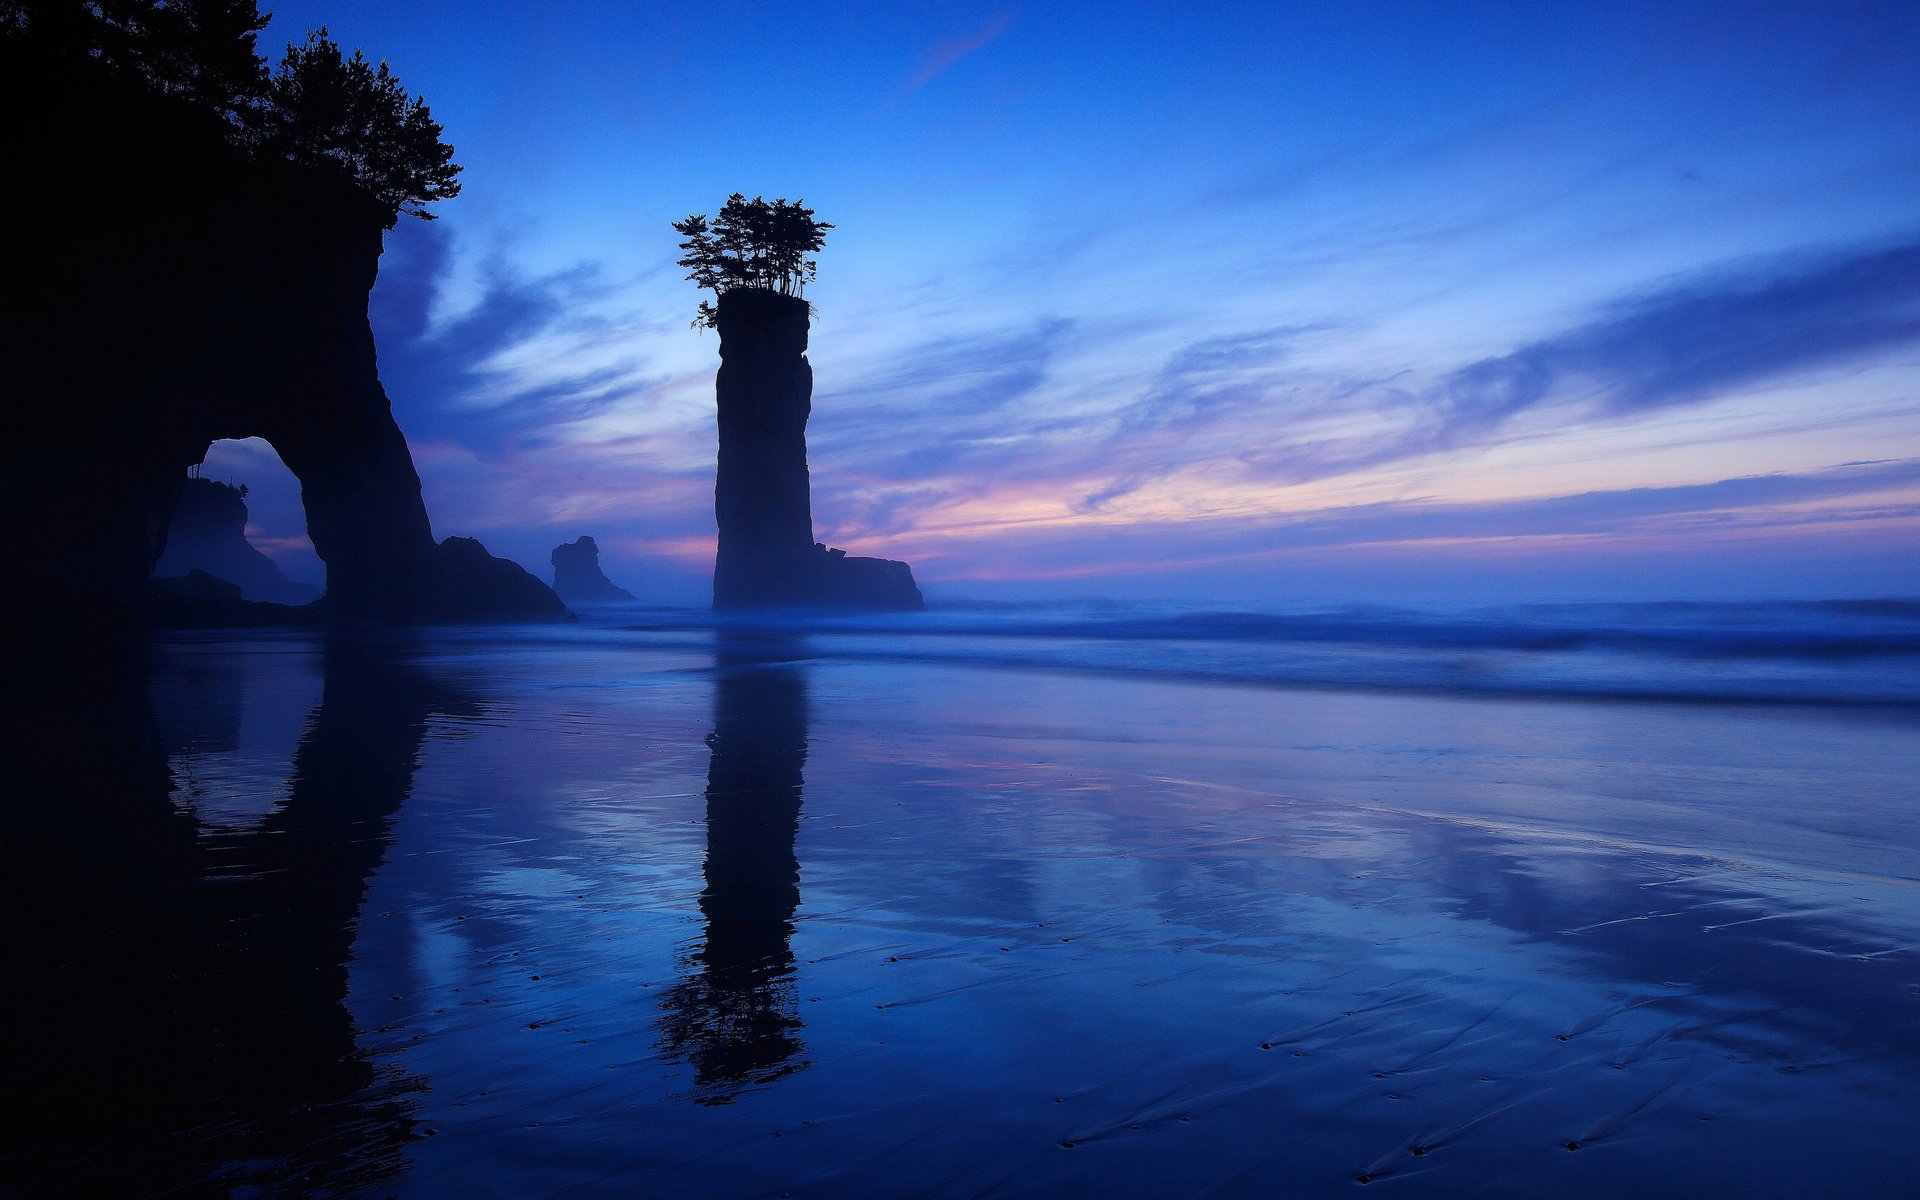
column 1268, row 302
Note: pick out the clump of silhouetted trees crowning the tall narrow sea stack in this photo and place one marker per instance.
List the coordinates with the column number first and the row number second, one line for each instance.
column 752, row 245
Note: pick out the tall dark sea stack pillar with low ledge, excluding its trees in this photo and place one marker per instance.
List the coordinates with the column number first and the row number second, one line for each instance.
column 763, row 500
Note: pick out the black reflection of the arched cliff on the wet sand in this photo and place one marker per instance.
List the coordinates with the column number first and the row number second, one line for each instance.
column 180, row 1001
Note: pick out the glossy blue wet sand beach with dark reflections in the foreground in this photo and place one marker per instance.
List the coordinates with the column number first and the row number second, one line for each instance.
column 573, row 915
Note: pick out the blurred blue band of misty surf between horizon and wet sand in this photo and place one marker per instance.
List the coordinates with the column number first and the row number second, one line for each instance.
column 1794, row 652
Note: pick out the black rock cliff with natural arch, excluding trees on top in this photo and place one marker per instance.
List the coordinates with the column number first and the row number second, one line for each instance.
column 172, row 295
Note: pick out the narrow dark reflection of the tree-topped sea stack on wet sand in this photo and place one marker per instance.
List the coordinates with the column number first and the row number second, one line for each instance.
column 736, row 1017
